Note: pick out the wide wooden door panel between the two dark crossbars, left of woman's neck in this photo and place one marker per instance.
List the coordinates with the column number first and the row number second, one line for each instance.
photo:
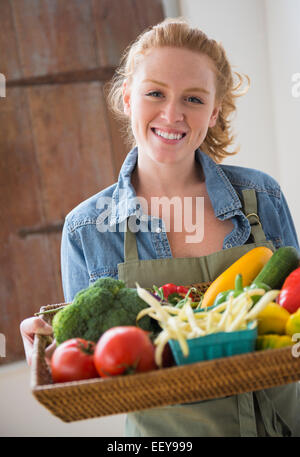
column 71, row 134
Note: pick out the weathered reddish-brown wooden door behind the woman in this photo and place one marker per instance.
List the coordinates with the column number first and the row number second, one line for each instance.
column 58, row 142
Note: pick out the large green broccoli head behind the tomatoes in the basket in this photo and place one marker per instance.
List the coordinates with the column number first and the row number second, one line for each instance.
column 106, row 303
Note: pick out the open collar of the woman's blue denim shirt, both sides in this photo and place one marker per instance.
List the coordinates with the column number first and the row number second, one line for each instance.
column 222, row 194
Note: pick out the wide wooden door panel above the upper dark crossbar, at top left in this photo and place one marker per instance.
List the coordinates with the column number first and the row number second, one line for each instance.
column 54, row 36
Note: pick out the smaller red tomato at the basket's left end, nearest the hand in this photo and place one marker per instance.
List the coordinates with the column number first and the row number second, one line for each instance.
column 73, row 360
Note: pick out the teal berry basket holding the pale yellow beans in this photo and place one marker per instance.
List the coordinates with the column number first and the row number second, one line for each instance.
column 216, row 345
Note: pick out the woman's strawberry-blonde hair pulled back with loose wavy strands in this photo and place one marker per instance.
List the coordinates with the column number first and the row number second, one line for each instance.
column 177, row 33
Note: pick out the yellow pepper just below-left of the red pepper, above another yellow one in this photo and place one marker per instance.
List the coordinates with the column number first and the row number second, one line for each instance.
column 272, row 319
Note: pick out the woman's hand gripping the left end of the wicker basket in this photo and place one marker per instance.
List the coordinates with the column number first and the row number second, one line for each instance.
column 28, row 328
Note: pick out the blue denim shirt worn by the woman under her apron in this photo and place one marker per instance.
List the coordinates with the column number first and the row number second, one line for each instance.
column 93, row 233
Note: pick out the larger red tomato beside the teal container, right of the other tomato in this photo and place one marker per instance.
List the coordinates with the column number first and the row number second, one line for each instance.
column 124, row 350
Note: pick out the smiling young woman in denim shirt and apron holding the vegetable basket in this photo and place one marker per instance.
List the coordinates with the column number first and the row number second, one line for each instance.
column 175, row 90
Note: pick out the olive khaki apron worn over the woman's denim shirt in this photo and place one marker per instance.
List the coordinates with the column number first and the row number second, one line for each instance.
column 249, row 414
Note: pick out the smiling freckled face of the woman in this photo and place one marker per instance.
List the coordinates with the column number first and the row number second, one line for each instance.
column 171, row 103
